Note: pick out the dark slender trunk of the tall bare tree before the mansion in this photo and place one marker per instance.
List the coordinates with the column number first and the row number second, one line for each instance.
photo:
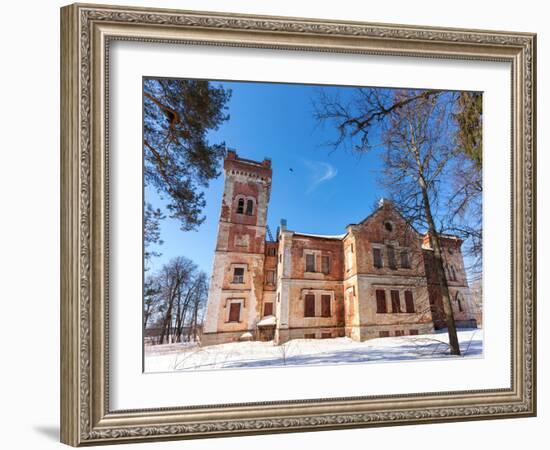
column 440, row 272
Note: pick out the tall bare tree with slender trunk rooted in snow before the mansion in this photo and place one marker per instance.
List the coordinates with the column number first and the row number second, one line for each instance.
column 415, row 130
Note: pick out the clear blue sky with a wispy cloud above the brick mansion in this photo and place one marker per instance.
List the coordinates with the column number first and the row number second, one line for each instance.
column 326, row 189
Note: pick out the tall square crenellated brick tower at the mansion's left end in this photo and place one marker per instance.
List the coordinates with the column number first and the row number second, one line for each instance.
column 236, row 286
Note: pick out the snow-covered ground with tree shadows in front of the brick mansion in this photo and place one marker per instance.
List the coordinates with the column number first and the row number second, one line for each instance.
column 174, row 357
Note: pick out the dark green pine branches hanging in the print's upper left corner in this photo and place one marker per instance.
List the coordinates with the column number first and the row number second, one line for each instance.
column 179, row 160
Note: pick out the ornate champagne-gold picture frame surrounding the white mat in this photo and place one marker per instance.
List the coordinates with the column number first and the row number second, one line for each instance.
column 86, row 31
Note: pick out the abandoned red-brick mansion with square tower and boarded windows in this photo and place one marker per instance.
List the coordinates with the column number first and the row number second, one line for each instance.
column 375, row 280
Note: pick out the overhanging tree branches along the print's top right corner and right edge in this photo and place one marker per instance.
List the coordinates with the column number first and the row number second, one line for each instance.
column 356, row 119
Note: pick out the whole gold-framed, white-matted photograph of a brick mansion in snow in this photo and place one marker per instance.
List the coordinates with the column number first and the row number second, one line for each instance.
column 276, row 224
